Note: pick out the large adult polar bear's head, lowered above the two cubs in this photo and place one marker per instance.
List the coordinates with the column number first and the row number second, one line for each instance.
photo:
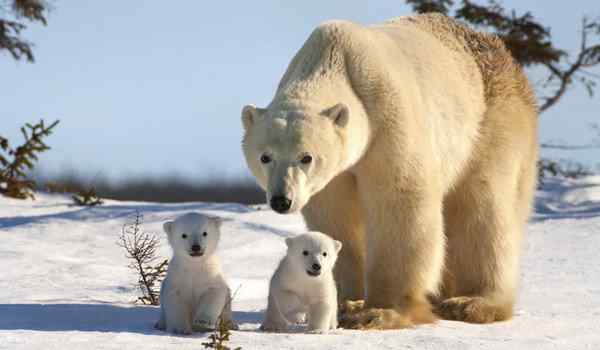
column 295, row 153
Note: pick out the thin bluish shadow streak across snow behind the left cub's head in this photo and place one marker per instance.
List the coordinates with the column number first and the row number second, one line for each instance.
column 121, row 211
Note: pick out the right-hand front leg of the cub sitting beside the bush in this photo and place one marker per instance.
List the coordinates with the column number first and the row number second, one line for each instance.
column 210, row 308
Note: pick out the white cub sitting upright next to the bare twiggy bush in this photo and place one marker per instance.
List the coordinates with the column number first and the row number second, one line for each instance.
column 194, row 294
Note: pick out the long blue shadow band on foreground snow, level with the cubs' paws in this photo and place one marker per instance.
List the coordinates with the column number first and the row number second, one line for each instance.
column 91, row 318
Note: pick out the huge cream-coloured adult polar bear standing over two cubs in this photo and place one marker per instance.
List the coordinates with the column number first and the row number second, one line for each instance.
column 414, row 143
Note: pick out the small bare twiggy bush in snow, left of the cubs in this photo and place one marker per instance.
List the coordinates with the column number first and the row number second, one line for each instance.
column 141, row 248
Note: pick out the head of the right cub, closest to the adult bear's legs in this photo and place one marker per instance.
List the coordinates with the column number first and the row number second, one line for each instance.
column 312, row 253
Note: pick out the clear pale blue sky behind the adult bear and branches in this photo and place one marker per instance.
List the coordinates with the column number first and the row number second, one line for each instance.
column 144, row 88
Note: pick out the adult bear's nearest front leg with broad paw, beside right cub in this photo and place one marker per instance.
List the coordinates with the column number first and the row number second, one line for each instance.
column 405, row 245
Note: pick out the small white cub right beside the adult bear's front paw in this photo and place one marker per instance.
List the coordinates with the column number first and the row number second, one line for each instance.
column 303, row 284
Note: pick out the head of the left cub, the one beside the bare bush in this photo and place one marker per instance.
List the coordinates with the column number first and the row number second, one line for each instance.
column 193, row 235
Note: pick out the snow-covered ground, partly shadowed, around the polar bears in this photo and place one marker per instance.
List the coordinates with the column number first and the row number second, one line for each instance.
column 64, row 283
